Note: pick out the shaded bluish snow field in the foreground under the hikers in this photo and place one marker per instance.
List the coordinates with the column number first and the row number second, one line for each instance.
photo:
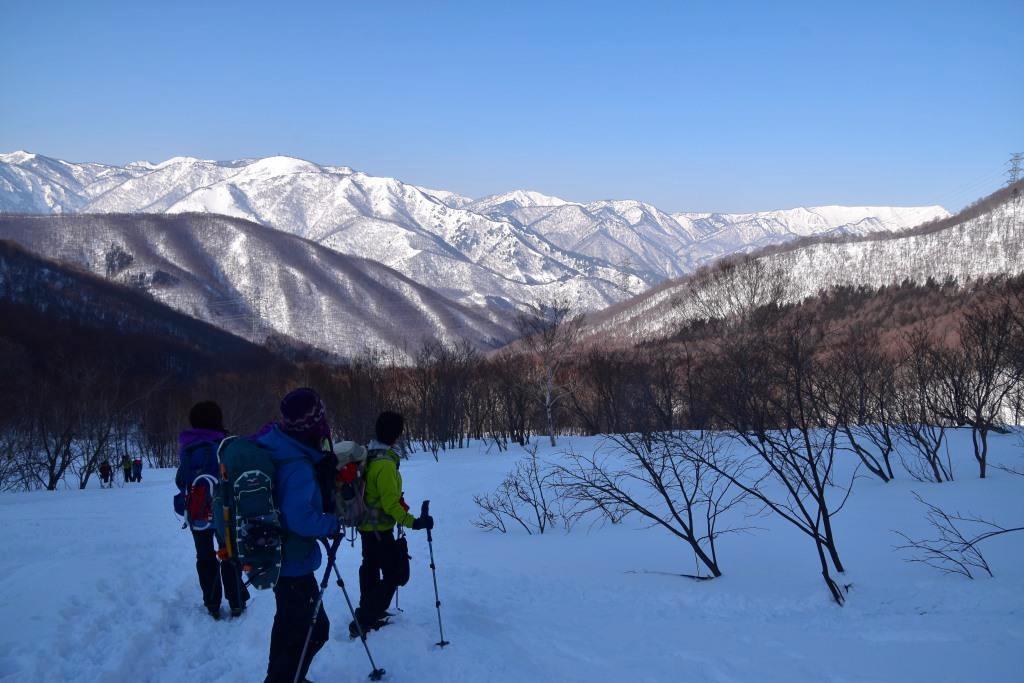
column 101, row 586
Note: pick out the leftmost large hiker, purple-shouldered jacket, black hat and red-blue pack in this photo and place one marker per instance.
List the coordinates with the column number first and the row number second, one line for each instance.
column 197, row 482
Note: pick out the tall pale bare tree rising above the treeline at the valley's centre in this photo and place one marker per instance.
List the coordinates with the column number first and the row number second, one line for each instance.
column 551, row 333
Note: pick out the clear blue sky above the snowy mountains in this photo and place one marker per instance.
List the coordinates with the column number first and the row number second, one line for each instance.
column 691, row 106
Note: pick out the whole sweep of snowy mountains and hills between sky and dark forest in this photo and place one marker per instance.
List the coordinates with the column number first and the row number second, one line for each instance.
column 344, row 262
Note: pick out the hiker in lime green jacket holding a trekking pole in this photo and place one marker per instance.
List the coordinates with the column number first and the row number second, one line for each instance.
column 386, row 560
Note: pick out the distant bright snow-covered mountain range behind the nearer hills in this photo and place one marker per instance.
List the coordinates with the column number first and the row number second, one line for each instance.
column 499, row 253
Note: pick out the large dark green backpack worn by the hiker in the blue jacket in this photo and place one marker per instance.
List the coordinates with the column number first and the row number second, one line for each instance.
column 247, row 521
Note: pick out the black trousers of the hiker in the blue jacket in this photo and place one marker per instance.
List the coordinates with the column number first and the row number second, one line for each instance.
column 296, row 597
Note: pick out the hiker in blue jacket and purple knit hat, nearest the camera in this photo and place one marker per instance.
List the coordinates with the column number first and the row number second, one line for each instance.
column 295, row 446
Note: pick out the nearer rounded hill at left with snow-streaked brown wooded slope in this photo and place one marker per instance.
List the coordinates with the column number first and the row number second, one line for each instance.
column 226, row 271
